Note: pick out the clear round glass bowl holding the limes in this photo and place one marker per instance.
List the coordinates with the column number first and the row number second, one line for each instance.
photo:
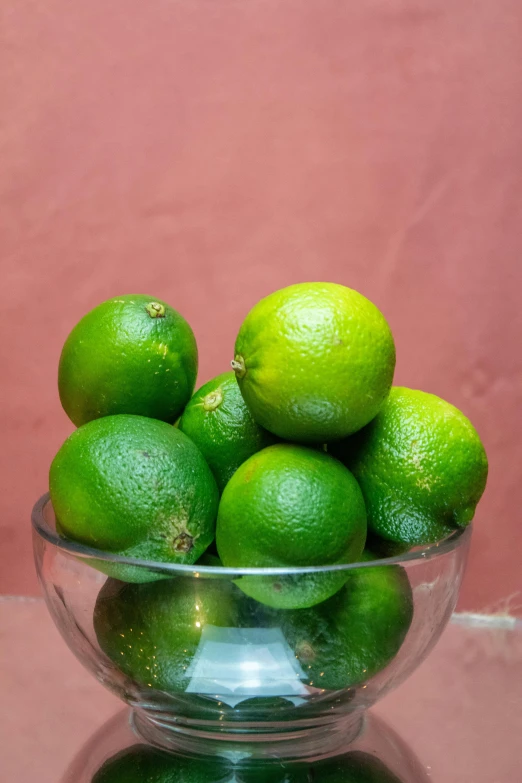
column 207, row 669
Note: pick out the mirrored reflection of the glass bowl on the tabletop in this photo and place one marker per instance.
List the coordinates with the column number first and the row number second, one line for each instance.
column 377, row 749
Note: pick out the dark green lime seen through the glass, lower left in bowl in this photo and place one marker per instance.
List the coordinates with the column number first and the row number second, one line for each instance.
column 154, row 632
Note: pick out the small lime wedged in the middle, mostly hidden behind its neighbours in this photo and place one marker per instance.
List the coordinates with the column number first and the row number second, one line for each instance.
column 222, row 427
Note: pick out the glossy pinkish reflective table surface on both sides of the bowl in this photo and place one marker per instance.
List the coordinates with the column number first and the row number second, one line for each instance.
column 460, row 712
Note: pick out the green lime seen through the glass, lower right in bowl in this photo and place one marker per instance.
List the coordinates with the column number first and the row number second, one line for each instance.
column 354, row 634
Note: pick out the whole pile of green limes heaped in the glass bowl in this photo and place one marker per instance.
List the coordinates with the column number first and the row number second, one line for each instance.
column 303, row 455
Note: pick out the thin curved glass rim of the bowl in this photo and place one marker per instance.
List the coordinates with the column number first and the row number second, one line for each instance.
column 41, row 527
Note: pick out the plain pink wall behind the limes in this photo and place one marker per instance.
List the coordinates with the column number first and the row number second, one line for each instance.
column 210, row 152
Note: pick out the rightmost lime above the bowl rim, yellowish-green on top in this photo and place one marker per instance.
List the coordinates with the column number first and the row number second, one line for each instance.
column 421, row 466
